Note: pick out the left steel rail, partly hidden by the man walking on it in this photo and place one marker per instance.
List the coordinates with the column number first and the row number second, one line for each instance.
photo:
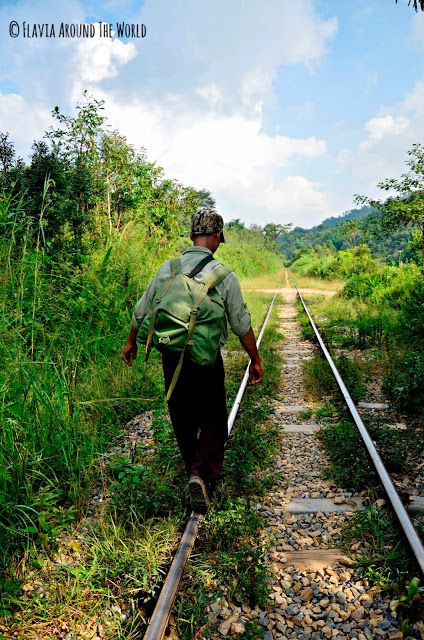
column 160, row 616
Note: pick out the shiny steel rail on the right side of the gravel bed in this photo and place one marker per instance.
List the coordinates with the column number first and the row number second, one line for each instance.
column 402, row 515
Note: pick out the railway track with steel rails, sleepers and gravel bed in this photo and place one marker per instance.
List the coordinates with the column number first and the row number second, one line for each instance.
column 313, row 593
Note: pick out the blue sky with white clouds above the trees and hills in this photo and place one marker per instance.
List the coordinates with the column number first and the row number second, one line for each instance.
column 282, row 109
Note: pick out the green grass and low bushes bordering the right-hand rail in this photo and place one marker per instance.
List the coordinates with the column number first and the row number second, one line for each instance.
column 374, row 327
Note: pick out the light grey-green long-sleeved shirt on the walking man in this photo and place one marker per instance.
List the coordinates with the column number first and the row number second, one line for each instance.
column 229, row 289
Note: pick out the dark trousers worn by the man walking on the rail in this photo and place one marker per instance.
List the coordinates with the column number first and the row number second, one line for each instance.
column 199, row 416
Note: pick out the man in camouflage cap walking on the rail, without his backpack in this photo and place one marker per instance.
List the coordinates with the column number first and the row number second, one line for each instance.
column 197, row 404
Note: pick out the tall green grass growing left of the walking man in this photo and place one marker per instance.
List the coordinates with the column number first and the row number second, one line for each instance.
column 64, row 391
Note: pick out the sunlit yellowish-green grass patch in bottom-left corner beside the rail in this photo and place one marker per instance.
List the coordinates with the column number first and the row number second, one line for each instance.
column 91, row 576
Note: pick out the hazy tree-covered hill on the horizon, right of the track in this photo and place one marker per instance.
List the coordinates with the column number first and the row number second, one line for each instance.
column 329, row 233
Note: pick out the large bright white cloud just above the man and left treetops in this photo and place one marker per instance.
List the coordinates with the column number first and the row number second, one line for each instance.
column 228, row 154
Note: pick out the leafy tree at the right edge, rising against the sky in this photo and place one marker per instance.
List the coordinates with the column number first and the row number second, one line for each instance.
column 407, row 208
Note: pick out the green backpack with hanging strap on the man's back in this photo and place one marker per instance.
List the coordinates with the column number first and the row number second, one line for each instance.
column 186, row 317
